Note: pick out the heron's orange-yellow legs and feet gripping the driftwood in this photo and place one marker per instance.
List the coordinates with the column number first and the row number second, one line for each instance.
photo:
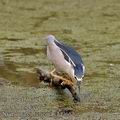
column 65, row 81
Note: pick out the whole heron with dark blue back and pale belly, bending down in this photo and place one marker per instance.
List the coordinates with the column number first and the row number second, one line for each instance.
column 65, row 59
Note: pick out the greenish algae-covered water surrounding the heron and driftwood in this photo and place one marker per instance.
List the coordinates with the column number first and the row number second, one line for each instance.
column 91, row 27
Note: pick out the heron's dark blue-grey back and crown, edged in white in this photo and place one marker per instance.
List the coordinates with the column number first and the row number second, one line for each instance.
column 72, row 57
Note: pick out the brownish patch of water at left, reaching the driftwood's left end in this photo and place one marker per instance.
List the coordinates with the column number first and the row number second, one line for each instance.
column 8, row 71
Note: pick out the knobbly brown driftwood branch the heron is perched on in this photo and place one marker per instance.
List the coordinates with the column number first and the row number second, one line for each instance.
column 46, row 77
